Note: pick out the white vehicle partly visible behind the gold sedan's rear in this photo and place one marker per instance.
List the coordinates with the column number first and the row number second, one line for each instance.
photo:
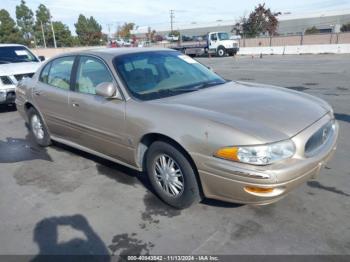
column 16, row 63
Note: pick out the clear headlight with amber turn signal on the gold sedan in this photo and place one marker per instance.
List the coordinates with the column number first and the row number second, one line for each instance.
column 258, row 155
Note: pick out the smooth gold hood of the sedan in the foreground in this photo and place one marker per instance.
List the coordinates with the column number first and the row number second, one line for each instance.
column 270, row 113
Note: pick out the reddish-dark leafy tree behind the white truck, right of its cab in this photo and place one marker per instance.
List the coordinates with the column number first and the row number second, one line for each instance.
column 262, row 20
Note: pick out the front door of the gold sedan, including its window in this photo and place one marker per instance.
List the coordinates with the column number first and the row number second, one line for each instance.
column 99, row 122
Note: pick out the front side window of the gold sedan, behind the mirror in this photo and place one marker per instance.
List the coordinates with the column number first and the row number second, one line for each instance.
column 91, row 72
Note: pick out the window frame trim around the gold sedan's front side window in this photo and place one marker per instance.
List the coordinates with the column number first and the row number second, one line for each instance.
column 75, row 72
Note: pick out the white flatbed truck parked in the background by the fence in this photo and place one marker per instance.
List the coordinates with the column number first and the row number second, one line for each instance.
column 218, row 43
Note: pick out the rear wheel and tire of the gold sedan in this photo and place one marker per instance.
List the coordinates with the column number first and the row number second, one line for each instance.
column 38, row 128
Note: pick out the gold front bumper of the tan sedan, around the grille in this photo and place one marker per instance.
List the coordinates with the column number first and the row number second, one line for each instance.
column 227, row 181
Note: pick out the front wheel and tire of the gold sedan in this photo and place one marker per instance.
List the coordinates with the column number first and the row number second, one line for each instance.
column 182, row 173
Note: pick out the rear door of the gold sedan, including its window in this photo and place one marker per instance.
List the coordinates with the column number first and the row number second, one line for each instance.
column 51, row 94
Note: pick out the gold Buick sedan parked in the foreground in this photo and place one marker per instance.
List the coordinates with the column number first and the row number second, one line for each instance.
column 195, row 134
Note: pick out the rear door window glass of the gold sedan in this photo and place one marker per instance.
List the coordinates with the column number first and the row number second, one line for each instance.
column 60, row 72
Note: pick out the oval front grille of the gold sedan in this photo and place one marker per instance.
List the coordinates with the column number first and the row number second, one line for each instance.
column 318, row 139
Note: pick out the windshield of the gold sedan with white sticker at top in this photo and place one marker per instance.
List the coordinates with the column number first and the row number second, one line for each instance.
column 152, row 75
